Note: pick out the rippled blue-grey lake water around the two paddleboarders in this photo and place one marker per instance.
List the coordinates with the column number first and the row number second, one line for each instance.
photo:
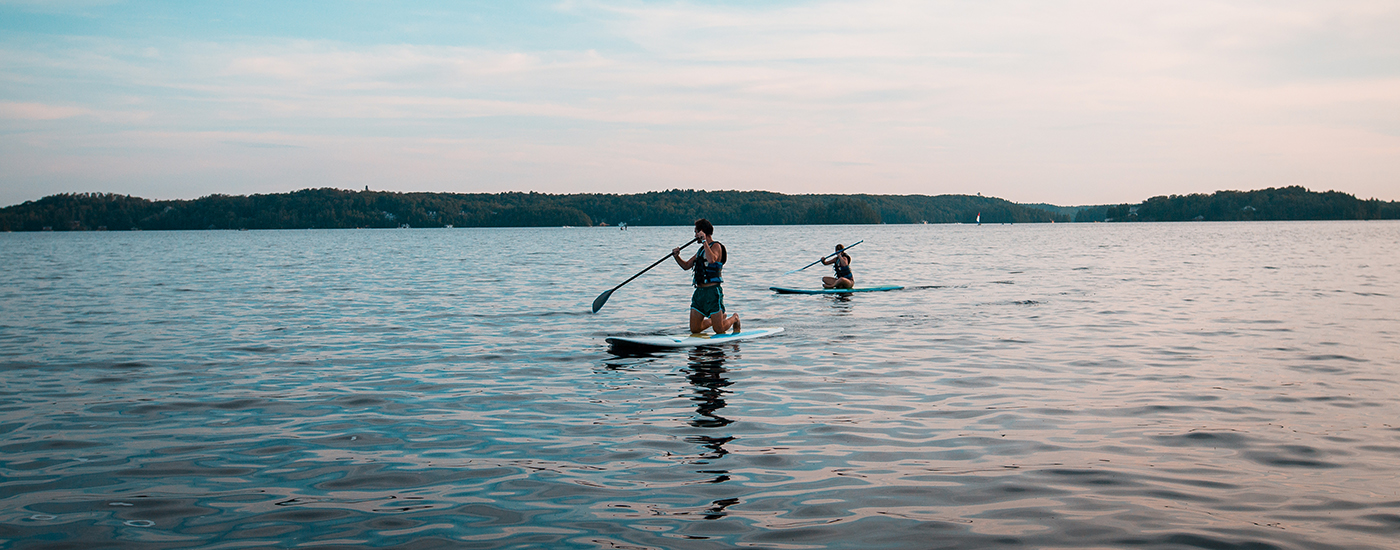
column 1202, row 386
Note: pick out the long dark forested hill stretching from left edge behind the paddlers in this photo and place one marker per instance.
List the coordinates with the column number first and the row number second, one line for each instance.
column 349, row 209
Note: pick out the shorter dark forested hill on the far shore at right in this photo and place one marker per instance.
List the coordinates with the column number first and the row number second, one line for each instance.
column 1273, row 204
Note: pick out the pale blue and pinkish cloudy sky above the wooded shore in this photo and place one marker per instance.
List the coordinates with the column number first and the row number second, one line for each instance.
column 1065, row 103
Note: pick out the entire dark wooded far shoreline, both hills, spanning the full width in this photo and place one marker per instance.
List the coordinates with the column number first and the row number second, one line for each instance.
column 346, row 209
